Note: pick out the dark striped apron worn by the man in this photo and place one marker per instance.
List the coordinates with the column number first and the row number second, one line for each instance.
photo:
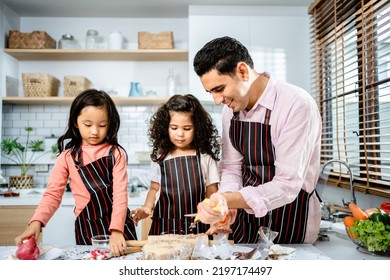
column 253, row 141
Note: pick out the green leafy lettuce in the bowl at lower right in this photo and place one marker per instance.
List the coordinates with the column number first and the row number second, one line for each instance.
column 375, row 236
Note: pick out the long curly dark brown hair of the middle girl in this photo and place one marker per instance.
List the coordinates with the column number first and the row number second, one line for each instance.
column 206, row 137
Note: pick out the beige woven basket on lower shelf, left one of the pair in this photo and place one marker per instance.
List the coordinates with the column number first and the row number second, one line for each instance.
column 39, row 85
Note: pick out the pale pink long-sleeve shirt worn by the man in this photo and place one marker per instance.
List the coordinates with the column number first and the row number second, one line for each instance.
column 296, row 135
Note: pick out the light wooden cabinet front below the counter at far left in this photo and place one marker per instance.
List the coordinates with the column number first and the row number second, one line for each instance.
column 13, row 221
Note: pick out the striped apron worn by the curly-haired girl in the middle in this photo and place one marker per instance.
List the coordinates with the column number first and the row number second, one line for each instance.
column 182, row 188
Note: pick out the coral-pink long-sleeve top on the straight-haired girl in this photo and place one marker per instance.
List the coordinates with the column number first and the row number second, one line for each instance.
column 64, row 169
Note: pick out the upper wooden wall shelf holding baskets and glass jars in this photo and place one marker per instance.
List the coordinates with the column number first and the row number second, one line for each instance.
column 99, row 55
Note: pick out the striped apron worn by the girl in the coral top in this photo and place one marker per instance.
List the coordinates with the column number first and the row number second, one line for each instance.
column 95, row 218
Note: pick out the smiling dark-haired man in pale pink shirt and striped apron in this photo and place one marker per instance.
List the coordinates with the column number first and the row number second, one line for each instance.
column 271, row 144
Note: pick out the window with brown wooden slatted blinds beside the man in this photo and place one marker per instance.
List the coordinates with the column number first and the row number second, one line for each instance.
column 350, row 54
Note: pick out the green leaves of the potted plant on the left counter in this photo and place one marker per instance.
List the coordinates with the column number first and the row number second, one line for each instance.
column 15, row 152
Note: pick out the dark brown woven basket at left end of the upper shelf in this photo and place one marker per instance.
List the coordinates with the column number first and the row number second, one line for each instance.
column 33, row 40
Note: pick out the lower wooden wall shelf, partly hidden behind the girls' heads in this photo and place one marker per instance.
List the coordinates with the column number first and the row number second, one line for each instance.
column 68, row 100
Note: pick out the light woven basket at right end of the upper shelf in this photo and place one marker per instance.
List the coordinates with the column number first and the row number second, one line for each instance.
column 163, row 40
